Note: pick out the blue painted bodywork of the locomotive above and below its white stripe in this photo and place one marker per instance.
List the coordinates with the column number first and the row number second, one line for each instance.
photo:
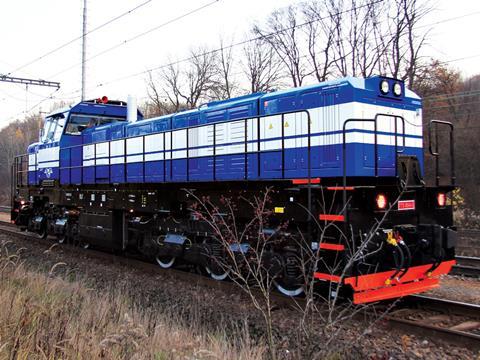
column 291, row 163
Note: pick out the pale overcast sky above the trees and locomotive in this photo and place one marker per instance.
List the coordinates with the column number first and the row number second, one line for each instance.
column 31, row 28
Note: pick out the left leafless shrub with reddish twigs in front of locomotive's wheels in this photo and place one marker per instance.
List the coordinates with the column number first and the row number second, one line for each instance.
column 244, row 250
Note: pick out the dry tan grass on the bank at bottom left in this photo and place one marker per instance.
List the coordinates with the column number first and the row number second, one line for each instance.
column 46, row 317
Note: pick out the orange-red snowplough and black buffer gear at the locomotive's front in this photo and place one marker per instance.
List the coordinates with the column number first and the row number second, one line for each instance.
column 416, row 255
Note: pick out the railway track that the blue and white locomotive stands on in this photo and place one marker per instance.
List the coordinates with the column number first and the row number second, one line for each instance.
column 456, row 312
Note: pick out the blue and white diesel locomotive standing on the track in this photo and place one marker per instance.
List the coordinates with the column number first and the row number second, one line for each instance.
column 101, row 174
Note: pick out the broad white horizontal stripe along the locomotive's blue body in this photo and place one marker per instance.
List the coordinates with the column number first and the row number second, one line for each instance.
column 322, row 119
